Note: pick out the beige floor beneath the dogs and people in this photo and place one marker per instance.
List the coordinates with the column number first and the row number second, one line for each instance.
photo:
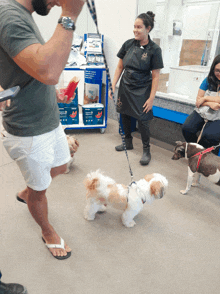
column 174, row 248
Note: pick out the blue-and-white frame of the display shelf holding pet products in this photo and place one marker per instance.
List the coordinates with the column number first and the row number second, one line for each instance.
column 103, row 98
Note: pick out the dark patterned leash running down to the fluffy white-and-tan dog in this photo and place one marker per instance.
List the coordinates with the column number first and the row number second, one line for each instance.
column 93, row 13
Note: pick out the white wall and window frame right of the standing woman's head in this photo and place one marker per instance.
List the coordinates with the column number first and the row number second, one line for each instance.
column 200, row 22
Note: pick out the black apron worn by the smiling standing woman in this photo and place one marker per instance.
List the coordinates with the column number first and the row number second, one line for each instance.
column 136, row 82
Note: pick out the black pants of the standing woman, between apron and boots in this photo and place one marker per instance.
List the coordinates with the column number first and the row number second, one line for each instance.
column 143, row 127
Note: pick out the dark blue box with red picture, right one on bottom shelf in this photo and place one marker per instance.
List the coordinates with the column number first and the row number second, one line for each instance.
column 93, row 114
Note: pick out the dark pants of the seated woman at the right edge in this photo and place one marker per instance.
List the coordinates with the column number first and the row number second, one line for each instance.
column 211, row 133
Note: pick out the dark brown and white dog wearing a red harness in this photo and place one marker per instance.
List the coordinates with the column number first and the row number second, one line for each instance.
column 209, row 164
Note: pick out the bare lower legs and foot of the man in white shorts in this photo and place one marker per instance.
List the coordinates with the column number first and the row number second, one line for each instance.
column 37, row 205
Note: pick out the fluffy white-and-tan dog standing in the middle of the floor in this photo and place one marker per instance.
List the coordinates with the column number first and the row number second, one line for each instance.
column 103, row 191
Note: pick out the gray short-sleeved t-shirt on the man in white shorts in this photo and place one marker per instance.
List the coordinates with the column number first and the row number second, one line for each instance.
column 34, row 110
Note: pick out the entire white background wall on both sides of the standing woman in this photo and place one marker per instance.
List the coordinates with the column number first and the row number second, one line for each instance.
column 116, row 19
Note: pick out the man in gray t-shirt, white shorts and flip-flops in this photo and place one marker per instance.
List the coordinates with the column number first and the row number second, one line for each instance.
column 32, row 119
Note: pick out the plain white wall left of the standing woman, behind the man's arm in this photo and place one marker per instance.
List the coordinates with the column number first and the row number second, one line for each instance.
column 115, row 19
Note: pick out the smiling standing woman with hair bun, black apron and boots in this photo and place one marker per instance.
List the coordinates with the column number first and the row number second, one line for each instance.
column 141, row 61
